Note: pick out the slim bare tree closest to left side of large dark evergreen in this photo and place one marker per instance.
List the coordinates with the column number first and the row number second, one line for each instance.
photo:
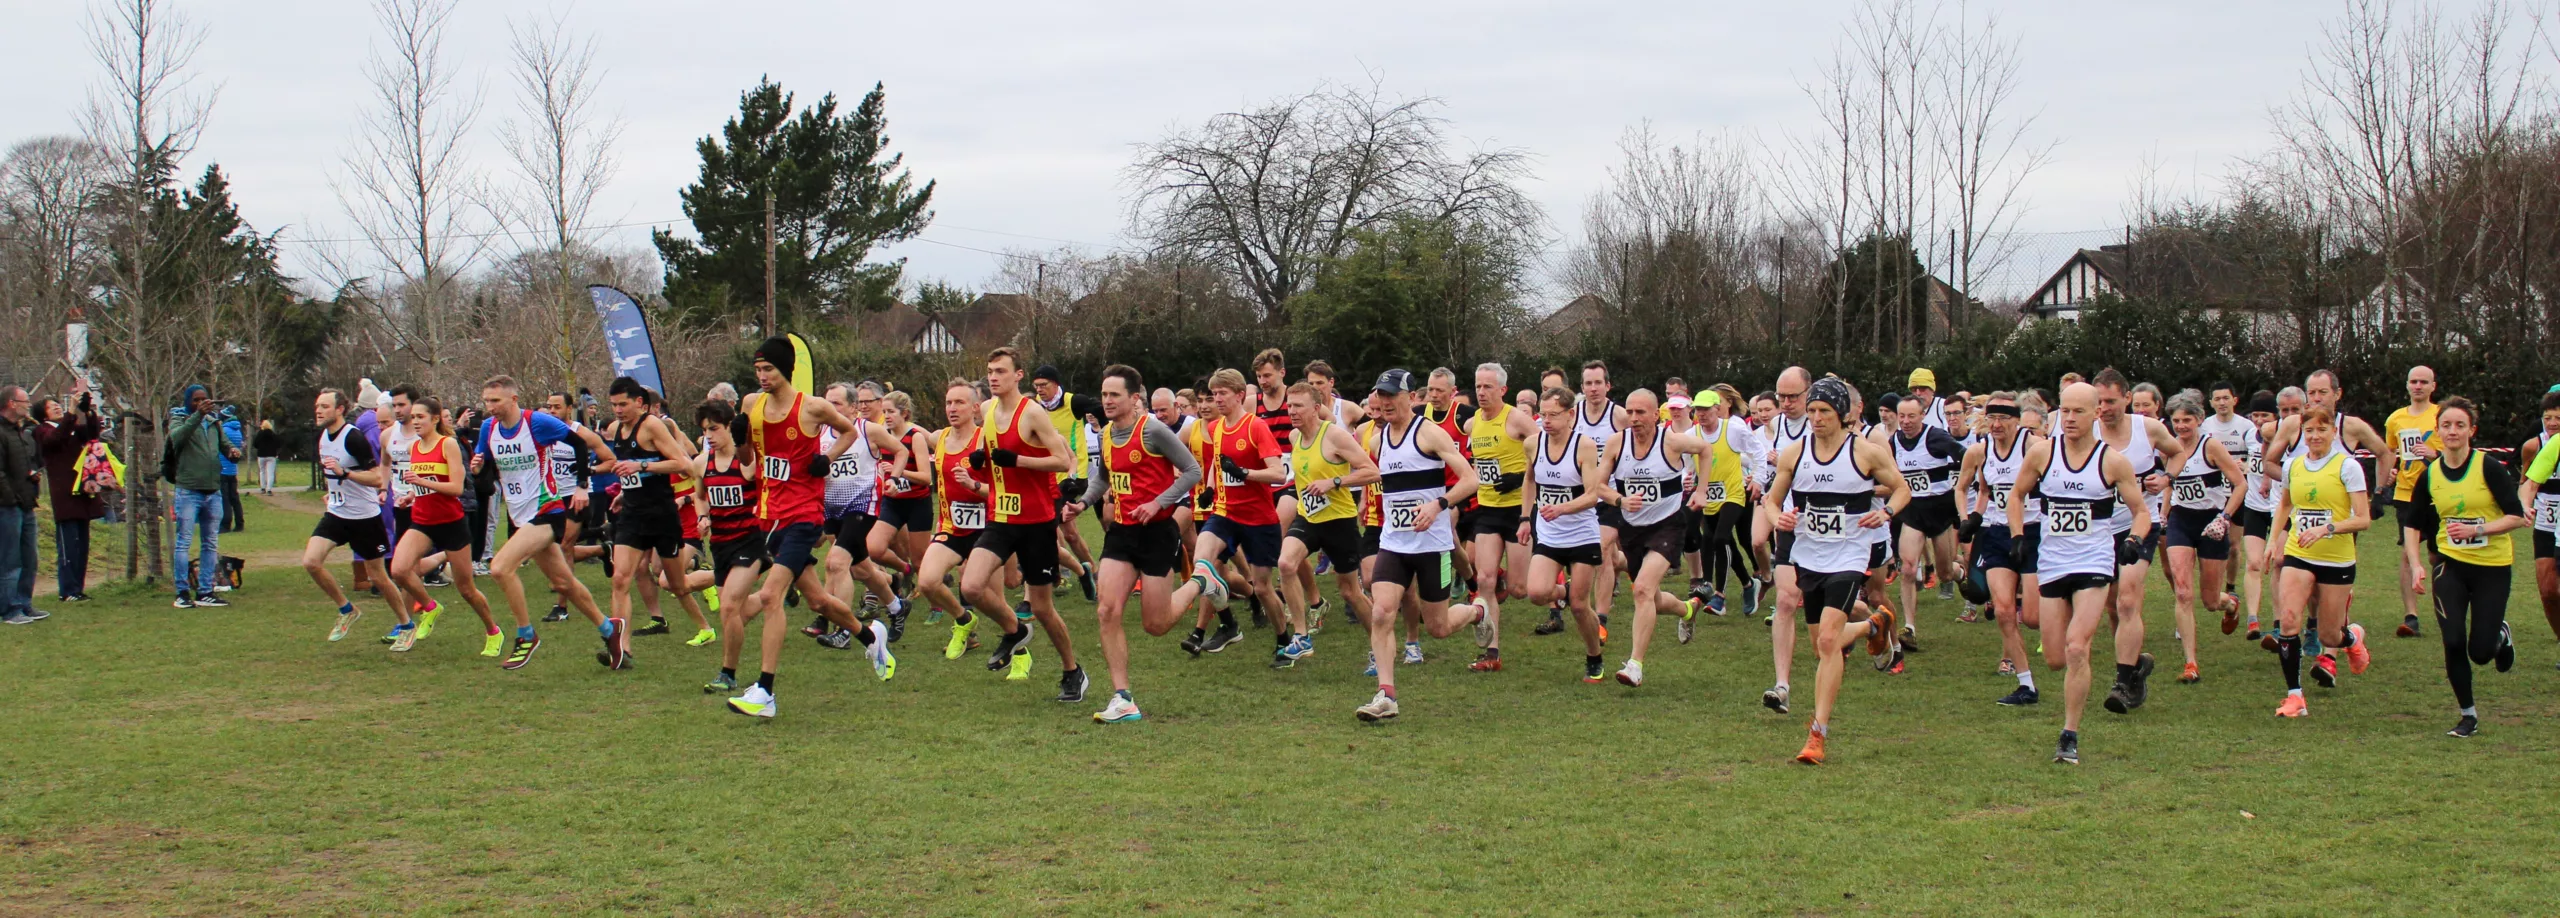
column 562, row 152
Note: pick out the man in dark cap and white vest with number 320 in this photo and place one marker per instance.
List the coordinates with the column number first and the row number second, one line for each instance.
column 1417, row 538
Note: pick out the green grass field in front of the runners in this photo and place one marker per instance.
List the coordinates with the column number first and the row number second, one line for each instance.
column 232, row 763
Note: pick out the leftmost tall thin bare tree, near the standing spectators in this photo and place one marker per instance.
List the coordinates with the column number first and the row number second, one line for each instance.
column 145, row 114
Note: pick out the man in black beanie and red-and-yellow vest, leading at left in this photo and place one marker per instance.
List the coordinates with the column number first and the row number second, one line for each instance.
column 782, row 428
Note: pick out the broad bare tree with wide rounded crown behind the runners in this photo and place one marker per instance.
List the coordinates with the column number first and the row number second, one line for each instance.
column 1279, row 191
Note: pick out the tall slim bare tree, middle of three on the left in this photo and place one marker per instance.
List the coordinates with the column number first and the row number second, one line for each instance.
column 408, row 188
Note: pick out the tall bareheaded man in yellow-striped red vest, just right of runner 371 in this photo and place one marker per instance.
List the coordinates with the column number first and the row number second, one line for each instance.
column 1020, row 456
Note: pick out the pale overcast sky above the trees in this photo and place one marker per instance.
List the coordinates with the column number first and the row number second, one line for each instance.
column 1028, row 111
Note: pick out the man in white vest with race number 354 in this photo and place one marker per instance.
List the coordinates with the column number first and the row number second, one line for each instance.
column 1827, row 495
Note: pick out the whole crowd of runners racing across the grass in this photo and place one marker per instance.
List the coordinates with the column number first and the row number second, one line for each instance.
column 1432, row 505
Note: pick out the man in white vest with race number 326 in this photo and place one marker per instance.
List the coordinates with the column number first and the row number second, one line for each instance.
column 2083, row 482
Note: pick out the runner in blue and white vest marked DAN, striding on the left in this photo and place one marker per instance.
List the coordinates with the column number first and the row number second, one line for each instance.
column 518, row 444
